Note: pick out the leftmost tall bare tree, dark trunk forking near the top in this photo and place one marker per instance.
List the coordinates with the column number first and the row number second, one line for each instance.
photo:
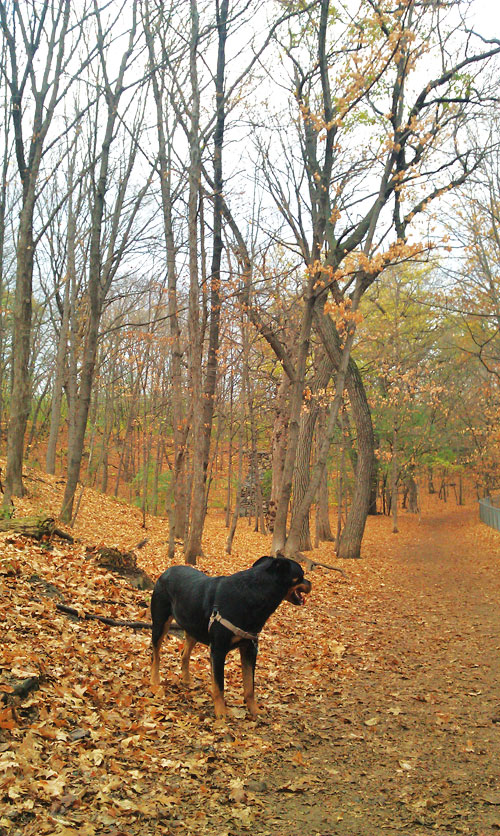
column 40, row 46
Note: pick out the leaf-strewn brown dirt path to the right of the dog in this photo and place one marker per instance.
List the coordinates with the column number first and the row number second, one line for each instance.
column 411, row 740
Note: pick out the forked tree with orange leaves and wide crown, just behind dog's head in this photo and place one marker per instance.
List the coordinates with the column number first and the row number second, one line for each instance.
column 373, row 156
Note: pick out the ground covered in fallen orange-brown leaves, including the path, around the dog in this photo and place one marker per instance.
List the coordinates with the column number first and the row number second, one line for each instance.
column 380, row 701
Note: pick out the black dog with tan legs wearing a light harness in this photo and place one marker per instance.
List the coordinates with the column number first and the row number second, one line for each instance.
column 224, row 613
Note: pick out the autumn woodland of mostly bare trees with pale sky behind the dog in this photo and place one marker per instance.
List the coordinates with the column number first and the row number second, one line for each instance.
column 250, row 238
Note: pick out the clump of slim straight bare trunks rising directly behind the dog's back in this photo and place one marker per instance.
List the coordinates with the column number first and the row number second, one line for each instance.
column 203, row 305
